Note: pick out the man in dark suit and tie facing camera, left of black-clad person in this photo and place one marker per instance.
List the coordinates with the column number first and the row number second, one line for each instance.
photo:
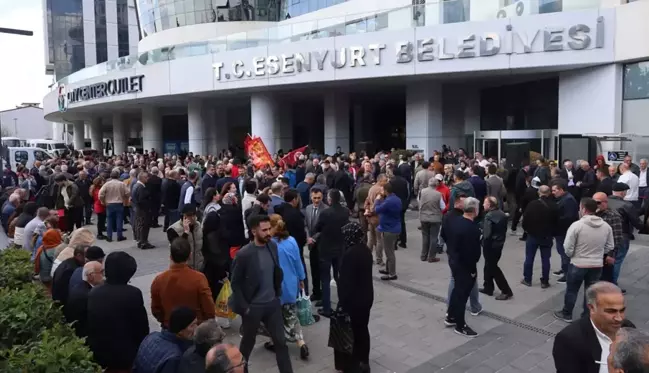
column 312, row 215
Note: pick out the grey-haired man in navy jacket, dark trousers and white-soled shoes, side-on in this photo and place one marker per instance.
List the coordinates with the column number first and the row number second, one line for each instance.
column 462, row 237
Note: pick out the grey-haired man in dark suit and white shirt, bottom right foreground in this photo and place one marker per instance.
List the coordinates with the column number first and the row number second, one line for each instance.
column 583, row 346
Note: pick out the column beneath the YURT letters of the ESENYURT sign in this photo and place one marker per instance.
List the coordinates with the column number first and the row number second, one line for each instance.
column 336, row 122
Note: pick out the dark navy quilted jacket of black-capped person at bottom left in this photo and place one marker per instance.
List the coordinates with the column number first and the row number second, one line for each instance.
column 160, row 352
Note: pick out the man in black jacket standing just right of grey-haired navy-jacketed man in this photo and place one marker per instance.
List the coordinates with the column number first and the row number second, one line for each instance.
column 493, row 240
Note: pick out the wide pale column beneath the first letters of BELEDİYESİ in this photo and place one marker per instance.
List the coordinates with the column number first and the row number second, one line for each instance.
column 424, row 117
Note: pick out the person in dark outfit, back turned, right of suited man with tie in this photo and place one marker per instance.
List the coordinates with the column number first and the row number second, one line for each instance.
column 331, row 245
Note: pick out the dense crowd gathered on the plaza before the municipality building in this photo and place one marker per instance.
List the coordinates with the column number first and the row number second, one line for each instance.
column 228, row 222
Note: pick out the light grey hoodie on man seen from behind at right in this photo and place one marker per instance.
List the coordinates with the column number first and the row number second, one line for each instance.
column 587, row 240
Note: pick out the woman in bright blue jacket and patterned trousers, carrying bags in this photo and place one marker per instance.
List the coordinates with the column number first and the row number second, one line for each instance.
column 293, row 280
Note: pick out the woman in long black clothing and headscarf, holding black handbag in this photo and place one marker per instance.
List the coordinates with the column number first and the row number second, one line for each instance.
column 355, row 297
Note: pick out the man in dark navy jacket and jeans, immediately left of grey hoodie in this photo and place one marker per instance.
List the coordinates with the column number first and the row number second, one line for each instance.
column 567, row 213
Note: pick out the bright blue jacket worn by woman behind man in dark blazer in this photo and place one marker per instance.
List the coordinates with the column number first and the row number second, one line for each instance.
column 291, row 264
